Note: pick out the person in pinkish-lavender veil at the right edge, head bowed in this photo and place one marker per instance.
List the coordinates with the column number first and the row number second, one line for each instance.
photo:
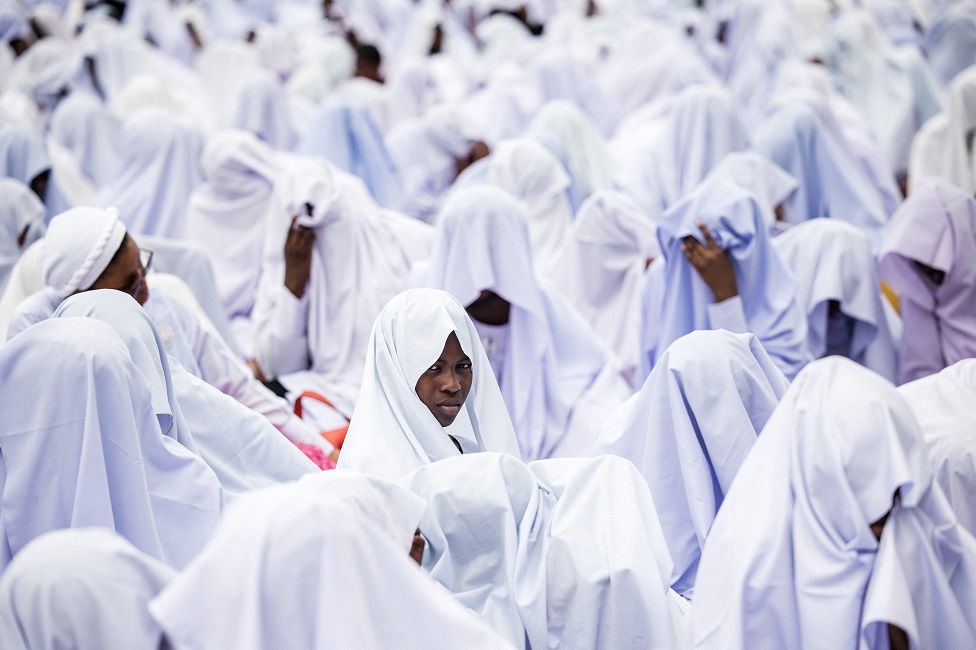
column 928, row 259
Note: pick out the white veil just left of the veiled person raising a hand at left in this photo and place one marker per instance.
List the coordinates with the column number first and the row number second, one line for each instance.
column 227, row 213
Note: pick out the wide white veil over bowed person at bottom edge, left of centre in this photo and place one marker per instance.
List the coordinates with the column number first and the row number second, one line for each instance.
column 339, row 541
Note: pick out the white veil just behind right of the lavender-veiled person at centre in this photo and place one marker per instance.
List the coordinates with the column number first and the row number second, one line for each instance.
column 528, row 171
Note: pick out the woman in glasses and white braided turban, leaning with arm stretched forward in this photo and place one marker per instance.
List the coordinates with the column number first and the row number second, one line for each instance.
column 88, row 248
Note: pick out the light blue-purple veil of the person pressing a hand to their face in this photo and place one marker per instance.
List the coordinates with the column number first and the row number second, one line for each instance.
column 766, row 286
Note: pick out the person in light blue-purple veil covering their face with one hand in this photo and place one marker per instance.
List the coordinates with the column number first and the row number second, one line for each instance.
column 719, row 270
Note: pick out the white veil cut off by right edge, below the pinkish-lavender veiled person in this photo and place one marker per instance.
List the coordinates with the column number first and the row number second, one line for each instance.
column 945, row 406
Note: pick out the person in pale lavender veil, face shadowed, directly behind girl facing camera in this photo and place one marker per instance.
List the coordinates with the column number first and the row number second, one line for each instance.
column 558, row 379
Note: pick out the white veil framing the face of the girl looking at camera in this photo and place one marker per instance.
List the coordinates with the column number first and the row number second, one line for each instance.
column 392, row 432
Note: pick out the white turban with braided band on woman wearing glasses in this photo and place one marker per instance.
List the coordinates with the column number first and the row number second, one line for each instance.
column 78, row 247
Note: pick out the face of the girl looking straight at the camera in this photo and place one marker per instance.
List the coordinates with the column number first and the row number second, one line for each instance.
column 445, row 385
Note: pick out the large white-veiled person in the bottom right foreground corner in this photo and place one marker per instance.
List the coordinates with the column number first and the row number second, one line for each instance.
column 833, row 534
